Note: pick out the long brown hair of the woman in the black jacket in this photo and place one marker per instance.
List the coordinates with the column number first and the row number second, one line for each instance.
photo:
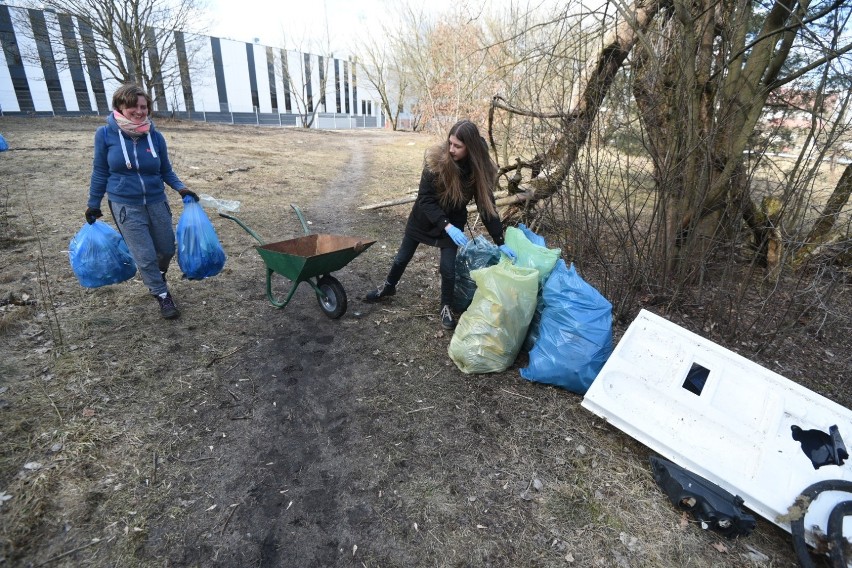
column 450, row 190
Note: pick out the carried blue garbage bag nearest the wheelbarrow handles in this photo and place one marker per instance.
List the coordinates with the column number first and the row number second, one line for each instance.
column 200, row 255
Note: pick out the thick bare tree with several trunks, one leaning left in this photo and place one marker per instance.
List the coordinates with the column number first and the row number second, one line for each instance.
column 702, row 72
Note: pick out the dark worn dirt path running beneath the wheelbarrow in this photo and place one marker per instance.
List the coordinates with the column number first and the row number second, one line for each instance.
column 295, row 476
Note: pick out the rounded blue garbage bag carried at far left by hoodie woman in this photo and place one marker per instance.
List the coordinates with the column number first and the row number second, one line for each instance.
column 99, row 256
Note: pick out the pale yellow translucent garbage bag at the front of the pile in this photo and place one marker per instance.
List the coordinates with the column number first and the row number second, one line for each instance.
column 490, row 333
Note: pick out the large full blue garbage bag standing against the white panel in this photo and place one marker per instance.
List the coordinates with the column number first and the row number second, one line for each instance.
column 575, row 333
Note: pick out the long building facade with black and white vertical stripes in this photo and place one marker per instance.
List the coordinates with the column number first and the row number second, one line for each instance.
column 48, row 66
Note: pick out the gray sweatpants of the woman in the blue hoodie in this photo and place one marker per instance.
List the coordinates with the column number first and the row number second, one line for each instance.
column 148, row 232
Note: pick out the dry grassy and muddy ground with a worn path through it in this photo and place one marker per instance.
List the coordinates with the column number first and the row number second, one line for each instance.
column 243, row 435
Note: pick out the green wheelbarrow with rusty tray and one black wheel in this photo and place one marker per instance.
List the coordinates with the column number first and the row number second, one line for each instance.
column 310, row 259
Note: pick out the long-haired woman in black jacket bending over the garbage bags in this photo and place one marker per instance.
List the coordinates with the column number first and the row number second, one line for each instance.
column 456, row 171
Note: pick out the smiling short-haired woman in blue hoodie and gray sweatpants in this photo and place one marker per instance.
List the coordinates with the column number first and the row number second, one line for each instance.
column 131, row 166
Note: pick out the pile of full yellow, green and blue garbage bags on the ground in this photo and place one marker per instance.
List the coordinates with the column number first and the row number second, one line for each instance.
column 538, row 304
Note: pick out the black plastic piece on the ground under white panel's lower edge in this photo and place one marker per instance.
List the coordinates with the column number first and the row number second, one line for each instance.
column 708, row 503
